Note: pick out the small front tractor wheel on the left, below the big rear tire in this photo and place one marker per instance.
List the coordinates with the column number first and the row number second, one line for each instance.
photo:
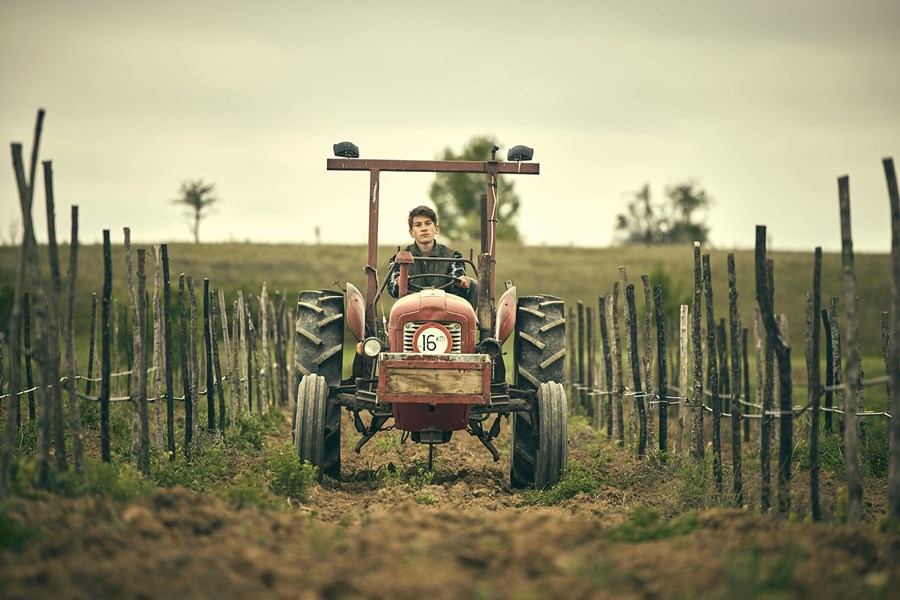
column 317, row 426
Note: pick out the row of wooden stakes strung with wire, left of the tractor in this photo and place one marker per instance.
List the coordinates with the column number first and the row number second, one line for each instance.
column 34, row 337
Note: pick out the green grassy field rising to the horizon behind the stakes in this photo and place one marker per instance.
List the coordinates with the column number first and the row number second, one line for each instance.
column 570, row 273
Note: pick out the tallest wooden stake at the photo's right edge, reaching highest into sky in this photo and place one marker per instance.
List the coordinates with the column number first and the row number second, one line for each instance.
column 892, row 363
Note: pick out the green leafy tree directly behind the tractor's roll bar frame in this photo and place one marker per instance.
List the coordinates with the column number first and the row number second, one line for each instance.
column 457, row 196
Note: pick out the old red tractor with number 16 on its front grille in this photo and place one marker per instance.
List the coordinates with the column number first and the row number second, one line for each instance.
column 435, row 366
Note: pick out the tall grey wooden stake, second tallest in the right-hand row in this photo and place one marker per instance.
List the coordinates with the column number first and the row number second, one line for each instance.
column 851, row 440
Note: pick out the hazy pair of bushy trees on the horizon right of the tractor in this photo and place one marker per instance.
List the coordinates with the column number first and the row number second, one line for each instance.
column 672, row 221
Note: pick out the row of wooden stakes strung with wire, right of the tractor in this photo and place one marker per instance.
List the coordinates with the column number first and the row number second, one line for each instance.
column 599, row 386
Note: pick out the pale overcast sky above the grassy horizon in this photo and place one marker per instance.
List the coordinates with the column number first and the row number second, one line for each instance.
column 763, row 103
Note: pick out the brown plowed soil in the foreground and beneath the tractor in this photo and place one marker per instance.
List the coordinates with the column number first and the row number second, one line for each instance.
column 385, row 531
